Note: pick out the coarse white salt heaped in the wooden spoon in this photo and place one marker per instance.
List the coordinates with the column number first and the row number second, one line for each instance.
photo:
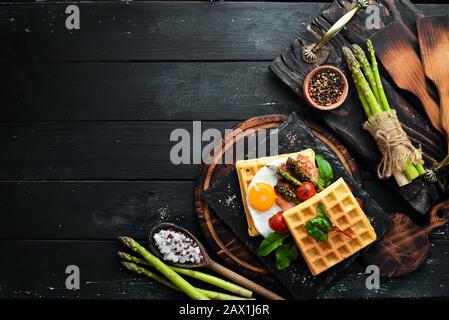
column 177, row 247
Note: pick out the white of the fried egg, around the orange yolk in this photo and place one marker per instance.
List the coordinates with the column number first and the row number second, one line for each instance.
column 261, row 218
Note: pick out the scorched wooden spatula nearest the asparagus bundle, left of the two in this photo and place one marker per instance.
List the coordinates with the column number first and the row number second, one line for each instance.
column 395, row 48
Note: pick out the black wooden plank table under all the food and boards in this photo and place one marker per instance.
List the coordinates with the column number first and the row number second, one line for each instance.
column 86, row 117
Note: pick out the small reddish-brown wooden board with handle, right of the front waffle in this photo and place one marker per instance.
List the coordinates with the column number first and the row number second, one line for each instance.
column 406, row 246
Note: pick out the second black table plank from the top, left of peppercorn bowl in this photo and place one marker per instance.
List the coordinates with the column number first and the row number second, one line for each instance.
column 142, row 91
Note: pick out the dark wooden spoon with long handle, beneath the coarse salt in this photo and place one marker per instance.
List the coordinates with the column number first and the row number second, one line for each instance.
column 209, row 263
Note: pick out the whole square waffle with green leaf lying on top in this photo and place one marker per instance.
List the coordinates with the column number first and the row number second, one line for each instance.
column 345, row 213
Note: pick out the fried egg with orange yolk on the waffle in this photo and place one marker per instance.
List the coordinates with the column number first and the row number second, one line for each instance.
column 261, row 197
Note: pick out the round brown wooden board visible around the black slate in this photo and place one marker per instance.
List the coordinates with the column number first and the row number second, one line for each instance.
column 219, row 237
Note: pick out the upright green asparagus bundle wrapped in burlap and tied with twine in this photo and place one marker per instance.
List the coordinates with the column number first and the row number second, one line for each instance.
column 400, row 158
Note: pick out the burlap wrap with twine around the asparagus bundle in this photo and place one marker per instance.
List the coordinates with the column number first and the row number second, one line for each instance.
column 393, row 143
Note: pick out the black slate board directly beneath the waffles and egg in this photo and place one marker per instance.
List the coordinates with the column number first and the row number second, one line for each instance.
column 296, row 278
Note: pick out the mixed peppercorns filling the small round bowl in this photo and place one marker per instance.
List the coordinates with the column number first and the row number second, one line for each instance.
column 326, row 87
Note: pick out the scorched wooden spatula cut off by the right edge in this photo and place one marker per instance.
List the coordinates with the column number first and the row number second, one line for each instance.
column 433, row 34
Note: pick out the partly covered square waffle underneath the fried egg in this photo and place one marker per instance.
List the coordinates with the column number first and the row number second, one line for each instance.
column 247, row 169
